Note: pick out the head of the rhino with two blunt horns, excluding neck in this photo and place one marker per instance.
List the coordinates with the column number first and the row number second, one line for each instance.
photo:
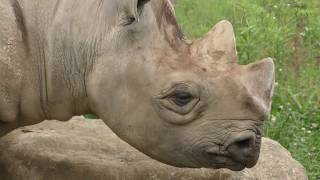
column 188, row 104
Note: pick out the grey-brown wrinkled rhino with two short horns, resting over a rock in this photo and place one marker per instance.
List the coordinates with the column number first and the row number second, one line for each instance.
column 187, row 104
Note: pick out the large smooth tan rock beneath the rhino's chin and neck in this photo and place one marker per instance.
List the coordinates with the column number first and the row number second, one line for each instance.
column 87, row 149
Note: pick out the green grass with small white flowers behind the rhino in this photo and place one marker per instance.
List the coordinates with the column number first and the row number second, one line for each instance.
column 289, row 32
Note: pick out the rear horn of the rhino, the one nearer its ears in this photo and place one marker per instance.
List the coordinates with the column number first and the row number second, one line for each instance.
column 218, row 44
